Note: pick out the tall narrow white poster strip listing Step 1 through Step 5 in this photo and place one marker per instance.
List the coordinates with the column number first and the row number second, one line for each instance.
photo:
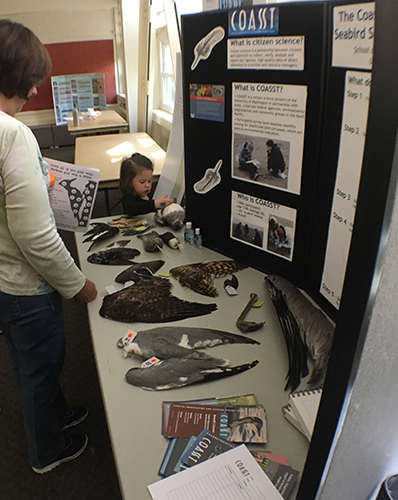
column 352, row 144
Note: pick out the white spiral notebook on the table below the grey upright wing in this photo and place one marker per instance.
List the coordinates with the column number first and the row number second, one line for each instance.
column 305, row 408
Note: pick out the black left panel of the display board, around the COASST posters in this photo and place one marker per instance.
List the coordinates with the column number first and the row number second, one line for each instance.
column 207, row 141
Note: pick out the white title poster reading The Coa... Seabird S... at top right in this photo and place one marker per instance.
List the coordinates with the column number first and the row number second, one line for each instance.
column 353, row 35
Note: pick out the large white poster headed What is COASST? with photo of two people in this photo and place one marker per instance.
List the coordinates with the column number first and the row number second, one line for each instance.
column 268, row 113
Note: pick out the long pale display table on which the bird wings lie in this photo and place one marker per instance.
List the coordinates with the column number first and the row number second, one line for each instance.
column 134, row 415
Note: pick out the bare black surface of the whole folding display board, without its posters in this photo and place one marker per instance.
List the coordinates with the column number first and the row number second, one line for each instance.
column 208, row 141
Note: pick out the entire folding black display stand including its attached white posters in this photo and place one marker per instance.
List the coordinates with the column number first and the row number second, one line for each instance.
column 343, row 120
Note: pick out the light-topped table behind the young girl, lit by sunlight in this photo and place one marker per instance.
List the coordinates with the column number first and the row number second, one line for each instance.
column 106, row 152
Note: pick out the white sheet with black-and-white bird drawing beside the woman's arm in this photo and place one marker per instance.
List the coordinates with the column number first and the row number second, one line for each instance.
column 73, row 195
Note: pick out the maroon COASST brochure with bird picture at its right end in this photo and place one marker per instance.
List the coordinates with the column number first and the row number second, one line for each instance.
column 241, row 424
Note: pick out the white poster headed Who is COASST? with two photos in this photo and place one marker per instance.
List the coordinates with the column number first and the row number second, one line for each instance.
column 263, row 224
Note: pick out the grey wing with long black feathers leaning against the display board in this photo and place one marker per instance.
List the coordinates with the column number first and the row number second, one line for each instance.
column 306, row 329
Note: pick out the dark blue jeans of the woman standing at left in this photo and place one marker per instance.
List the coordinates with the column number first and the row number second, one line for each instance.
column 34, row 329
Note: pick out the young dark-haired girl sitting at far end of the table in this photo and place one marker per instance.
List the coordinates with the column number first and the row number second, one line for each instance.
column 136, row 183
